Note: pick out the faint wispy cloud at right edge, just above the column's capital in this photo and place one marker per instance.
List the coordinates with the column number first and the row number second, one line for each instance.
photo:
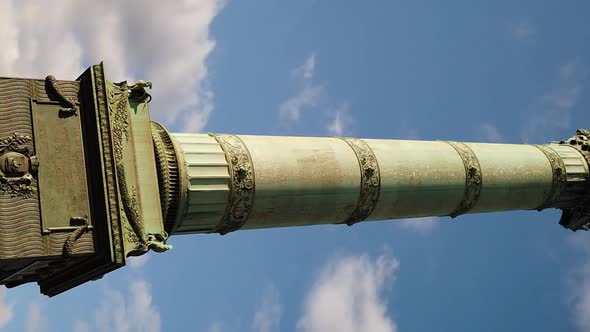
column 556, row 104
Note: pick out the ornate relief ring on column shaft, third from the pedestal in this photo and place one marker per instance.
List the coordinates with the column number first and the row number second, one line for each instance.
column 473, row 178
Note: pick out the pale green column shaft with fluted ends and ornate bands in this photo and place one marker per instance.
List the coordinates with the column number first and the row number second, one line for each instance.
column 248, row 182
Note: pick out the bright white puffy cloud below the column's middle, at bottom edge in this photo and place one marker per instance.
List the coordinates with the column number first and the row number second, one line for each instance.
column 349, row 296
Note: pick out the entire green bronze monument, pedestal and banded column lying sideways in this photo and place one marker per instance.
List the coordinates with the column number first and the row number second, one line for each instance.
column 87, row 180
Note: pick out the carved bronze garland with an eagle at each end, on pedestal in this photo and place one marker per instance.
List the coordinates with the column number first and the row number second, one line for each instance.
column 119, row 97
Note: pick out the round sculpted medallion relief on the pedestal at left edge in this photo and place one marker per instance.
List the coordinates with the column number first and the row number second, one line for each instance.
column 17, row 162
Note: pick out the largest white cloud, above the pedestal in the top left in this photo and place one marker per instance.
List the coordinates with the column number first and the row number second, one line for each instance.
column 166, row 44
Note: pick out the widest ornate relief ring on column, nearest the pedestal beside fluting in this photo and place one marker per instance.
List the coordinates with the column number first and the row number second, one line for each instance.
column 241, row 172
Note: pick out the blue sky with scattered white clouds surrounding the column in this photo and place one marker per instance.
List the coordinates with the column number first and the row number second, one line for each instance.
column 460, row 70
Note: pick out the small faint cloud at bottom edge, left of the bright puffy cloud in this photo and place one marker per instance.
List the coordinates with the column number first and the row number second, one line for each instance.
column 268, row 312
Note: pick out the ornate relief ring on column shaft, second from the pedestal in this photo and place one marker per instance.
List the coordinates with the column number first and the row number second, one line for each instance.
column 370, row 181
